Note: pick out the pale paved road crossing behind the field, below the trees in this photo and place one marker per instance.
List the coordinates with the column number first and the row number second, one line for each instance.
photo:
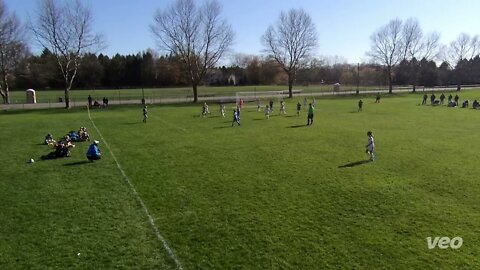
column 5, row 107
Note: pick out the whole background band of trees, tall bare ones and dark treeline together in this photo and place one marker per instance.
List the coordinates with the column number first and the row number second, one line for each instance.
column 193, row 38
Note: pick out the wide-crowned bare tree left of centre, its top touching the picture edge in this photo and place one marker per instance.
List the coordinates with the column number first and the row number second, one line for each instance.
column 198, row 35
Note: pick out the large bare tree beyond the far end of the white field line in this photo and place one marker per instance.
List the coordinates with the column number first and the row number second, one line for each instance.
column 67, row 31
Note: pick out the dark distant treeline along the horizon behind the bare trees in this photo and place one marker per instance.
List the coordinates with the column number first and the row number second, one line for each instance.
column 146, row 69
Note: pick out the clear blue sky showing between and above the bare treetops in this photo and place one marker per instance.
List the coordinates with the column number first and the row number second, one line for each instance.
column 343, row 26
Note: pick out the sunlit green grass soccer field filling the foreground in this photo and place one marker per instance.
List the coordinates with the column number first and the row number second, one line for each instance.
column 270, row 194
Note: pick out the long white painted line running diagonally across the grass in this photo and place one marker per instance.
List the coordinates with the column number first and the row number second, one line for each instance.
column 139, row 199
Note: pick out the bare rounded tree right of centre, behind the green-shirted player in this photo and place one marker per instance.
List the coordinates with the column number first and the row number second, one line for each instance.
column 291, row 41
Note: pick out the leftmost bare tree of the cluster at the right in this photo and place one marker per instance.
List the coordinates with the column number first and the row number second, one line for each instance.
column 387, row 48
